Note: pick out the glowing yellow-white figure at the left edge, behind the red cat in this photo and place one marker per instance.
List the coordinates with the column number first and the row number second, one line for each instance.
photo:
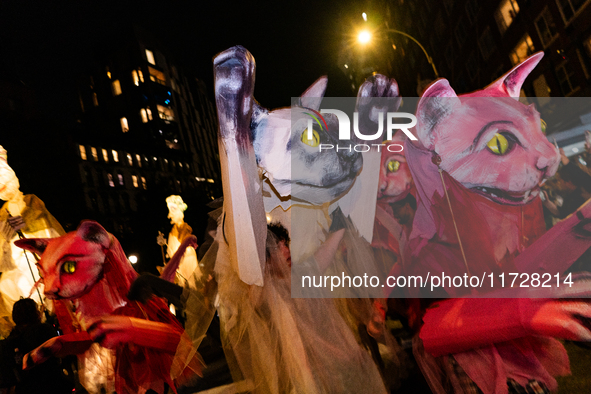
column 28, row 215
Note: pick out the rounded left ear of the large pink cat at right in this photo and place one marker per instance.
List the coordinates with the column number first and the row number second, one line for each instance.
column 437, row 101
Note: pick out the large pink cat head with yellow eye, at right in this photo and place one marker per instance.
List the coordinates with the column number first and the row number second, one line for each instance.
column 487, row 140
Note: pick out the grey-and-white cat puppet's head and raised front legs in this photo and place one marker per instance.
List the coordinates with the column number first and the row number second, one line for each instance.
column 258, row 148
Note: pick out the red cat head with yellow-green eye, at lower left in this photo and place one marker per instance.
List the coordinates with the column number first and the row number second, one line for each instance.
column 73, row 263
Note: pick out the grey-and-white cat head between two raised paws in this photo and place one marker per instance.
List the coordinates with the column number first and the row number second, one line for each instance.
column 292, row 162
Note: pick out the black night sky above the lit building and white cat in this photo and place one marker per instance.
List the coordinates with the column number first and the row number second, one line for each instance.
column 293, row 43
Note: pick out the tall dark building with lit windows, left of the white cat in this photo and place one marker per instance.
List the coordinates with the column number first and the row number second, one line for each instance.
column 146, row 130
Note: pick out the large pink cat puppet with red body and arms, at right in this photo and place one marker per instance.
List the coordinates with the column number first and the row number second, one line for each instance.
column 477, row 170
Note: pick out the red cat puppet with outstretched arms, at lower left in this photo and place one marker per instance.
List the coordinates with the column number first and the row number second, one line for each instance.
column 88, row 276
